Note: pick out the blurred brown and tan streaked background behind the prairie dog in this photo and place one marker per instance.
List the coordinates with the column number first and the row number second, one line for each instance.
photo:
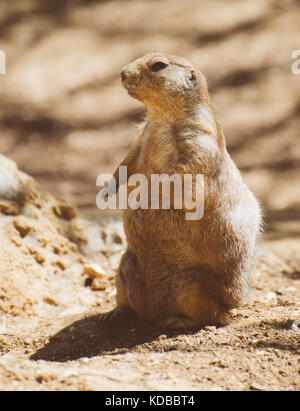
column 65, row 118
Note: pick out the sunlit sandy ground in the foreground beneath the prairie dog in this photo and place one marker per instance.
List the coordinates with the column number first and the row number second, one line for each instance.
column 259, row 350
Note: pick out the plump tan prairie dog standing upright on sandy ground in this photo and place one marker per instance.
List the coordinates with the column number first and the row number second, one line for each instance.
column 178, row 273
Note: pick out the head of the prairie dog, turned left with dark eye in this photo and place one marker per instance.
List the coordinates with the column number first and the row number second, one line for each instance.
column 166, row 84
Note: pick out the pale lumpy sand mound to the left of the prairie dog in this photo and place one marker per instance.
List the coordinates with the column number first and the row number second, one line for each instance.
column 46, row 251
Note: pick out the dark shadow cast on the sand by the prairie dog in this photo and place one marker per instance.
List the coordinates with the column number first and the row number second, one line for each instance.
column 108, row 333
